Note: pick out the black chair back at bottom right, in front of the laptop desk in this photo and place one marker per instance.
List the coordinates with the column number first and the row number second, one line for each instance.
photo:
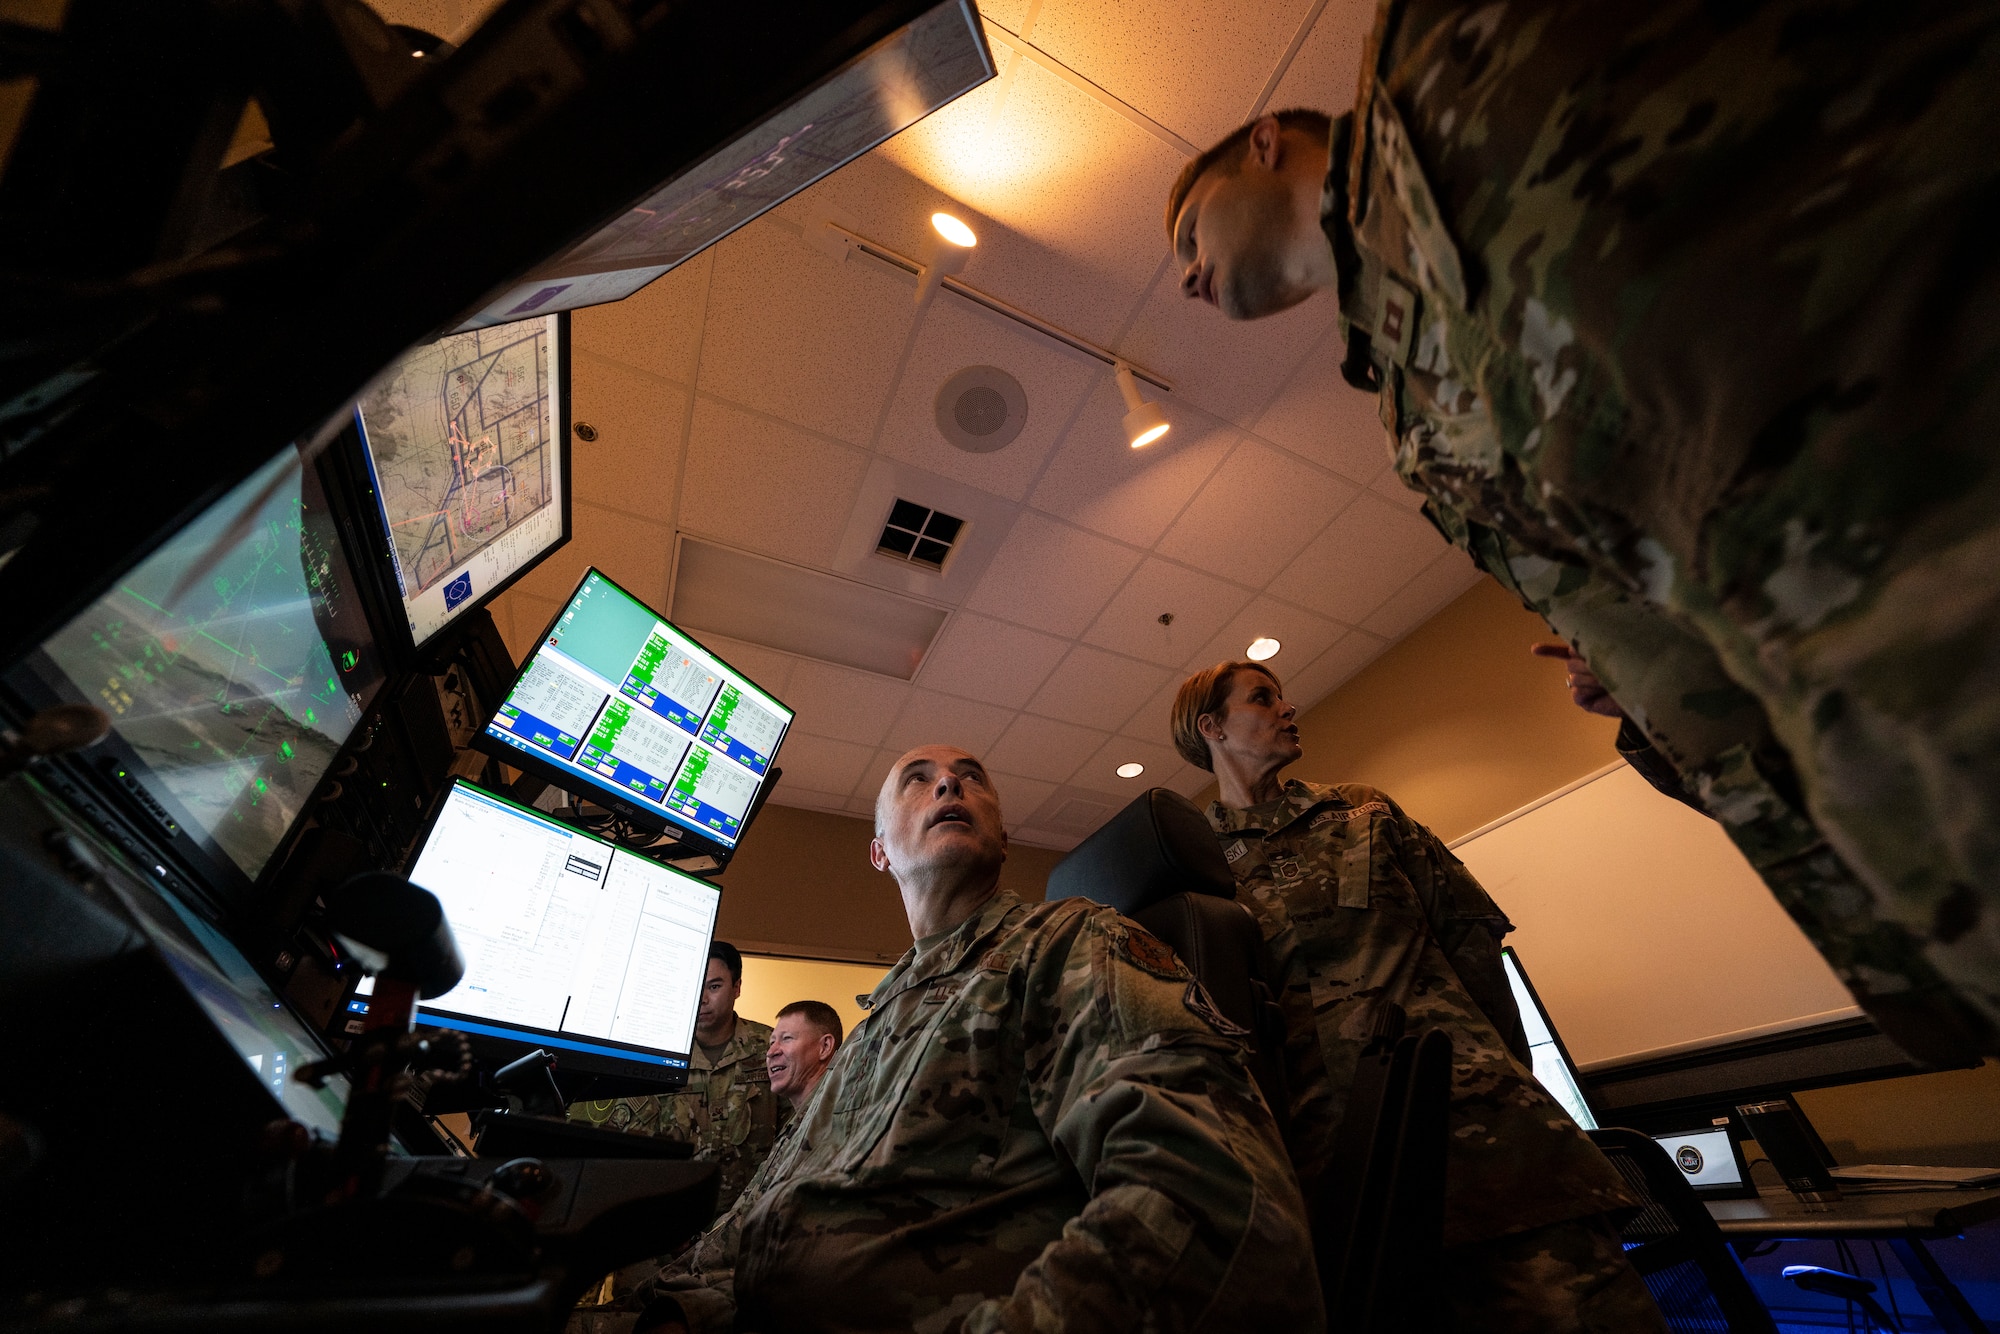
column 1677, row 1247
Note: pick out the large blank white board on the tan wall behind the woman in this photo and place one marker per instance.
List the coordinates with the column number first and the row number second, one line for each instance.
column 1643, row 927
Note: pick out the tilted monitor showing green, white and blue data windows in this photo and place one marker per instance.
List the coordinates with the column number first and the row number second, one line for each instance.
column 633, row 713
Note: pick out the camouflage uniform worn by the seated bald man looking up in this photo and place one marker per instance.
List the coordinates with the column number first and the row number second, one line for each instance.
column 1041, row 1127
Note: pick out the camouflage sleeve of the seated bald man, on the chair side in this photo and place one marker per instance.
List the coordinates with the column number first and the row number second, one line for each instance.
column 1195, row 1219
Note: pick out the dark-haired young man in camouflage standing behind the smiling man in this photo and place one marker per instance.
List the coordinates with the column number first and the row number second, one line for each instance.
column 727, row 1111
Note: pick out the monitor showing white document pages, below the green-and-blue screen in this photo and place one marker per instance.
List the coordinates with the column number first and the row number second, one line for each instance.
column 571, row 943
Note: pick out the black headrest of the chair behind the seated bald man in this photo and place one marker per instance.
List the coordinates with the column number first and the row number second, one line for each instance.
column 1153, row 849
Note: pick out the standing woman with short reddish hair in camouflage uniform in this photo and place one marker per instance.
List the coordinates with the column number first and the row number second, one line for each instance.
column 1363, row 909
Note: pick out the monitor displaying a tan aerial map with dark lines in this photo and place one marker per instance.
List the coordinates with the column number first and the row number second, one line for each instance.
column 467, row 453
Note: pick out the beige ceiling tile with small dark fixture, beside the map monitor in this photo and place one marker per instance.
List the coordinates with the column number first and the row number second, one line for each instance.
column 635, row 463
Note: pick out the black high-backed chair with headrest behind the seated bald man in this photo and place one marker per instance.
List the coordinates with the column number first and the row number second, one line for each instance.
column 1159, row 863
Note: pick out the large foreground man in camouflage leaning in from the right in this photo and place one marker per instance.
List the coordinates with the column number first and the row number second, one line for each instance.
column 1683, row 321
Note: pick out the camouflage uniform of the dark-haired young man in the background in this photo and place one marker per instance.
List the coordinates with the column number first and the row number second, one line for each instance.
column 727, row 1111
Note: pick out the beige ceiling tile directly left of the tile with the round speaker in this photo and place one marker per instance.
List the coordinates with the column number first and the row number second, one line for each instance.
column 801, row 335
